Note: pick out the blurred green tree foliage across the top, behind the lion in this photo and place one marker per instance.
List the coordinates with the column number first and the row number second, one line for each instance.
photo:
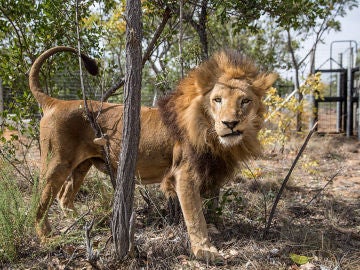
column 255, row 27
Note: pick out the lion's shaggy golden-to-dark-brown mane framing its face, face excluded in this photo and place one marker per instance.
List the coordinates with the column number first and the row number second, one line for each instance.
column 185, row 113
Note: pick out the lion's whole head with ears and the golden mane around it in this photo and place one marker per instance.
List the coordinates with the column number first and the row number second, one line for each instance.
column 217, row 107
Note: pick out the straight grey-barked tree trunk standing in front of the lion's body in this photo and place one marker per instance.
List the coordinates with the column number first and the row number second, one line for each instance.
column 125, row 181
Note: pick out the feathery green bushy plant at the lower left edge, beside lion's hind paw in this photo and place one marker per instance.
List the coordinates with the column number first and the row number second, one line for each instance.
column 16, row 214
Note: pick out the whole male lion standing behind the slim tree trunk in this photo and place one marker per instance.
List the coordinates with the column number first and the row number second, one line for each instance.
column 192, row 143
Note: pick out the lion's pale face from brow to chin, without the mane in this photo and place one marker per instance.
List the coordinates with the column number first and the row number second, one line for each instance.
column 233, row 107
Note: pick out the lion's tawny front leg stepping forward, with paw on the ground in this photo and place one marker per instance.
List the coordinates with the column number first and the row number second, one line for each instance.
column 191, row 205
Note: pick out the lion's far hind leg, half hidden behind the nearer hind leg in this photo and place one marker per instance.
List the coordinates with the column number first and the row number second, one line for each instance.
column 71, row 186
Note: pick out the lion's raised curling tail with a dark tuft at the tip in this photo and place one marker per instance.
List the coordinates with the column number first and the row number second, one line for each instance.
column 34, row 81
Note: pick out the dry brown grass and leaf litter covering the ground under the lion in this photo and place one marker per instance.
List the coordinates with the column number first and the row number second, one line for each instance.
column 326, row 231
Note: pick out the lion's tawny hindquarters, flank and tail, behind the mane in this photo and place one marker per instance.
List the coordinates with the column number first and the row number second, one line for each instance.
column 68, row 149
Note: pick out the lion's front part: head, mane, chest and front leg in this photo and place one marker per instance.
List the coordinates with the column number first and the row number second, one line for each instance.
column 204, row 155
